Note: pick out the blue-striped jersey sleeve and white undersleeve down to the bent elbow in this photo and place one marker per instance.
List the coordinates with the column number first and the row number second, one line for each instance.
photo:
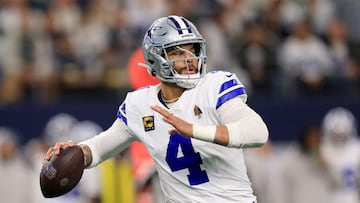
column 245, row 126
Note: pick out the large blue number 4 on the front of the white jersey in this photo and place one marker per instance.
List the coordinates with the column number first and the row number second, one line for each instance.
column 190, row 159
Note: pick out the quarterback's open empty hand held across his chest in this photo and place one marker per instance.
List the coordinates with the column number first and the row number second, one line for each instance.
column 182, row 127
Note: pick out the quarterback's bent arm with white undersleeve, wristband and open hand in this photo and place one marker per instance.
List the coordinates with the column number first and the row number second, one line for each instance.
column 244, row 128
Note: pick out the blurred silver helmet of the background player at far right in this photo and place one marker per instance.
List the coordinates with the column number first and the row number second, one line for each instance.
column 339, row 125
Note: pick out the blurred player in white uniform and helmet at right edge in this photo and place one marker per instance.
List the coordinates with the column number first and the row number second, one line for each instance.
column 341, row 153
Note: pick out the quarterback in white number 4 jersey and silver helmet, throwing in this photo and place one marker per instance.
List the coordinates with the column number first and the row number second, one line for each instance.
column 194, row 124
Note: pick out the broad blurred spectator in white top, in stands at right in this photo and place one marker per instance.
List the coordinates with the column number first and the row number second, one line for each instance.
column 305, row 63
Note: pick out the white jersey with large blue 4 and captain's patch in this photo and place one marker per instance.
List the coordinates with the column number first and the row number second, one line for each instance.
column 191, row 170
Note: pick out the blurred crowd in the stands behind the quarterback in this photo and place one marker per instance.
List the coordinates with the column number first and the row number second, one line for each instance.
column 280, row 48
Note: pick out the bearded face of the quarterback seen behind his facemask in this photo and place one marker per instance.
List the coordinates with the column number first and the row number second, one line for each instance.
column 185, row 59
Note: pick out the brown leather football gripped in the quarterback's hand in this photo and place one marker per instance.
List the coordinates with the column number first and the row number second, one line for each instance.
column 62, row 172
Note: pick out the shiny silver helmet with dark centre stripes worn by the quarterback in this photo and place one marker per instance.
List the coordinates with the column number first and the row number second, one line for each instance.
column 173, row 31
